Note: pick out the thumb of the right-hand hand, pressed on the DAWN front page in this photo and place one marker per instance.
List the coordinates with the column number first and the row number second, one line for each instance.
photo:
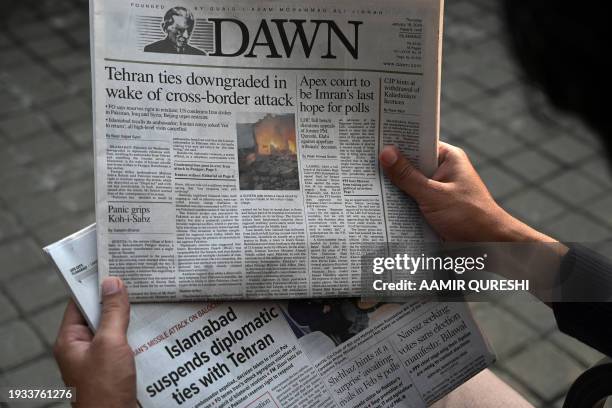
column 404, row 174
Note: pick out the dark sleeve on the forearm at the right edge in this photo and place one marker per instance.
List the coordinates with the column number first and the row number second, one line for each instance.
column 585, row 275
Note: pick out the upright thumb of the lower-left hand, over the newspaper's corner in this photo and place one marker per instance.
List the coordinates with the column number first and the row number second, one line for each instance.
column 115, row 310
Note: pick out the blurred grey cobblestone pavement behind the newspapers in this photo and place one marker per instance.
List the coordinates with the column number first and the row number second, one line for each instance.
column 546, row 168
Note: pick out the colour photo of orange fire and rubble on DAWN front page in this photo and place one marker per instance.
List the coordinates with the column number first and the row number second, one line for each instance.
column 267, row 151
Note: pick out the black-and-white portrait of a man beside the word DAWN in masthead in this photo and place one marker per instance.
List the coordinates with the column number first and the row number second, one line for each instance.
column 178, row 26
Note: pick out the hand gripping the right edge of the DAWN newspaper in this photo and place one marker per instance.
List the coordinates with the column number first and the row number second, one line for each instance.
column 455, row 201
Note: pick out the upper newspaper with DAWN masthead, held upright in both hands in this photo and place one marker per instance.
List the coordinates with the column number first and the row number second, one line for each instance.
column 236, row 143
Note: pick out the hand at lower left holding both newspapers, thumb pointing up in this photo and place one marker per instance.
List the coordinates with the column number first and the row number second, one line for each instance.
column 100, row 367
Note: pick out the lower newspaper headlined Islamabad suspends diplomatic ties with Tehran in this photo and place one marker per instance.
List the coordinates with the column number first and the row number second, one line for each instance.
column 300, row 353
